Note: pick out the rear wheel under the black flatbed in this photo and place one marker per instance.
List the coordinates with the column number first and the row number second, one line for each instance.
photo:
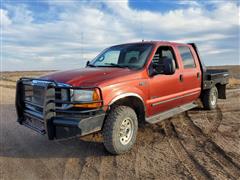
column 209, row 98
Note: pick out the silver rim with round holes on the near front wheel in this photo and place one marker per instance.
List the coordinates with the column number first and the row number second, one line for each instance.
column 126, row 131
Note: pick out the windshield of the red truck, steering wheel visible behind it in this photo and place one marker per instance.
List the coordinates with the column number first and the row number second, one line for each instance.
column 128, row 55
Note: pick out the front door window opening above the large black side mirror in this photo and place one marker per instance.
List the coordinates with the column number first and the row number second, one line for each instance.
column 166, row 51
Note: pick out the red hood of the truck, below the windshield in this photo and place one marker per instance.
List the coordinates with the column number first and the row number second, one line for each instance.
column 90, row 76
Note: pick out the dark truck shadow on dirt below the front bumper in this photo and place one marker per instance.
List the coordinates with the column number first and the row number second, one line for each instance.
column 40, row 147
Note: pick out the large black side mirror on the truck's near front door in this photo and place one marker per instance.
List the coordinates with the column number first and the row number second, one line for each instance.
column 165, row 66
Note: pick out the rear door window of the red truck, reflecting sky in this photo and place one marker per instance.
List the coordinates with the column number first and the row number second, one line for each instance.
column 187, row 58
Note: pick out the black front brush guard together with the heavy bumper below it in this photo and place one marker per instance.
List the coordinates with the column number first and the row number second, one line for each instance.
column 40, row 107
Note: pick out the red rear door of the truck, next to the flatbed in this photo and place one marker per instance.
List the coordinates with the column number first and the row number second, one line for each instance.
column 191, row 74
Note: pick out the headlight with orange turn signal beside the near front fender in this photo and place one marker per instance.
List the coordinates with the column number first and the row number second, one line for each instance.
column 88, row 96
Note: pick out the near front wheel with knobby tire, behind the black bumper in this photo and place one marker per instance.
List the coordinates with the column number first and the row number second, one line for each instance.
column 112, row 133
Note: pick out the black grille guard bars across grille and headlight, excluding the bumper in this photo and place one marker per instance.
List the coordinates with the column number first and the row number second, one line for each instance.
column 48, row 110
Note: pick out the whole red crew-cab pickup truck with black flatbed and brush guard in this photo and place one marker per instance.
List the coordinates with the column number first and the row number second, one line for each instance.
column 125, row 85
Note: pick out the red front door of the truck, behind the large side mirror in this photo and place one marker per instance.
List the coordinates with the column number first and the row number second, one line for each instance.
column 164, row 89
